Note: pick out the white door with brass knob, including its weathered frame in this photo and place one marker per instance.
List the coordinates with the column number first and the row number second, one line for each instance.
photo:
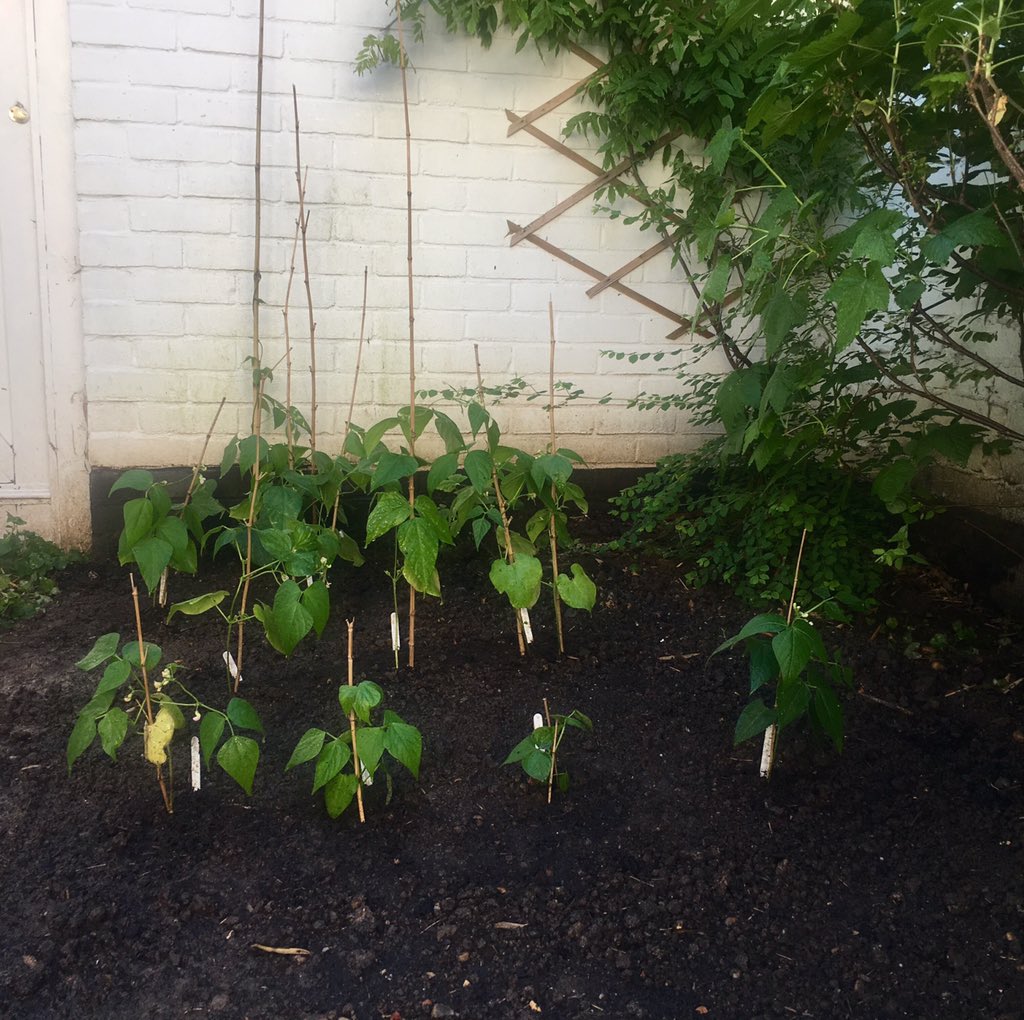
column 44, row 473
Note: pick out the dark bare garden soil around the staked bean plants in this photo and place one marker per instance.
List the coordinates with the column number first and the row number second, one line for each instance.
column 668, row 883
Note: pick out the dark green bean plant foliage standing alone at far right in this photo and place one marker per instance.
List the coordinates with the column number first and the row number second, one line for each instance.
column 791, row 659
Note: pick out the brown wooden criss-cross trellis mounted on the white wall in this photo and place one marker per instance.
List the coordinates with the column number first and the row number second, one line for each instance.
column 603, row 179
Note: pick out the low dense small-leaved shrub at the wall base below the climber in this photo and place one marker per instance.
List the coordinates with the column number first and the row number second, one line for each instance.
column 737, row 527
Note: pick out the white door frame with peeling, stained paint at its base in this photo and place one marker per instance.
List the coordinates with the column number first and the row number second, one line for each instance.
column 63, row 515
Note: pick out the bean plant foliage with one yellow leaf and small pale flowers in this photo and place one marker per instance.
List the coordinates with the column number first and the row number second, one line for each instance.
column 118, row 708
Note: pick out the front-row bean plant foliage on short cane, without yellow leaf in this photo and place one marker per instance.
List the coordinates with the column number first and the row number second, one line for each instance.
column 392, row 739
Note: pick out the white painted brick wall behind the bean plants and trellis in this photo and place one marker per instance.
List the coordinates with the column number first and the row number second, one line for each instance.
column 164, row 101
